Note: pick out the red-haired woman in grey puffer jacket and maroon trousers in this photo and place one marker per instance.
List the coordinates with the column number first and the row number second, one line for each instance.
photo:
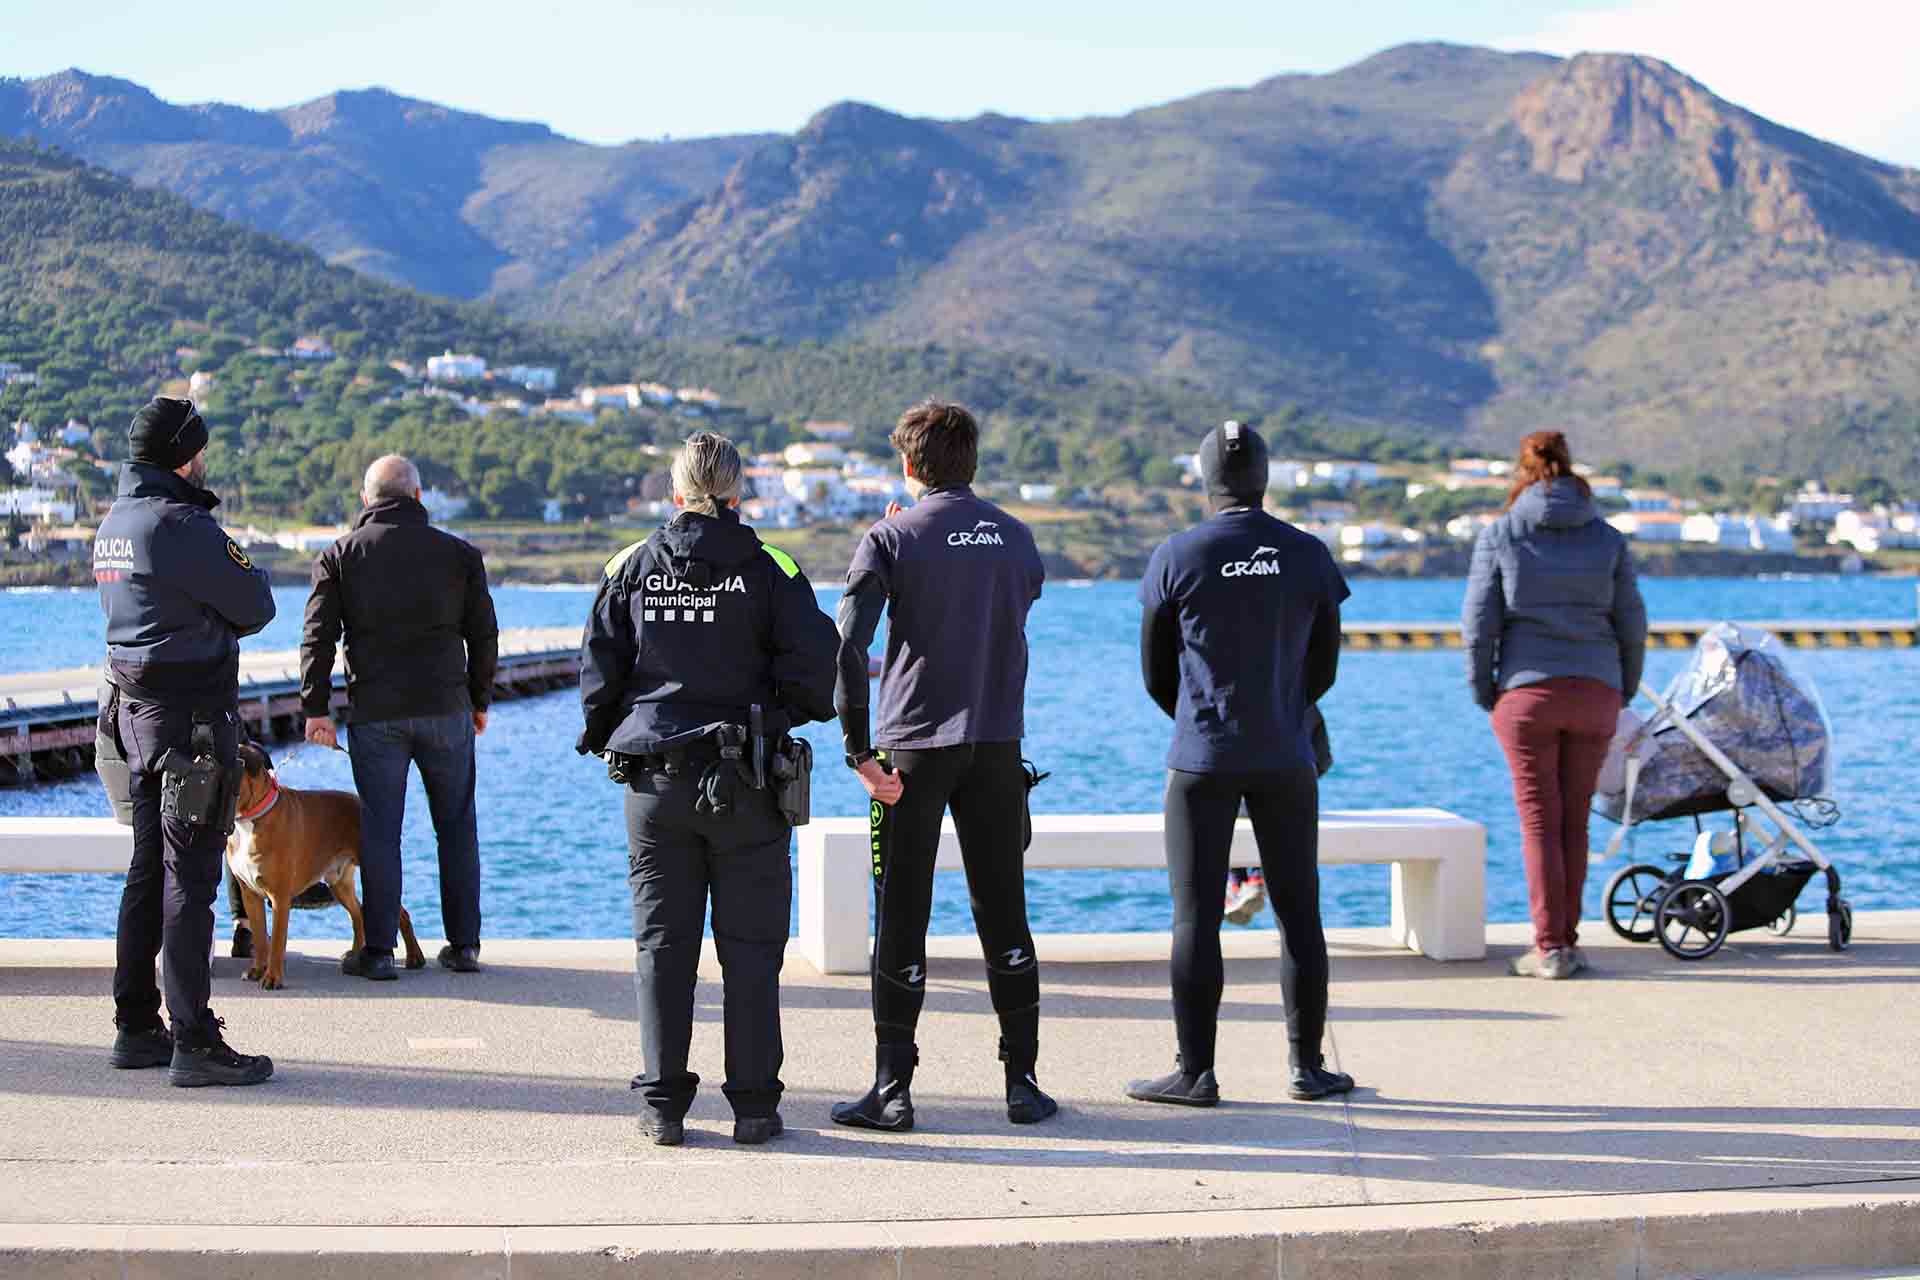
column 1556, row 640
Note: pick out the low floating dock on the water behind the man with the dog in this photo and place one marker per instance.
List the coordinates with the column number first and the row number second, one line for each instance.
column 47, row 719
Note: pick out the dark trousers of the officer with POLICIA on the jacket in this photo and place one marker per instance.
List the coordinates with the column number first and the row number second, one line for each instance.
column 176, row 874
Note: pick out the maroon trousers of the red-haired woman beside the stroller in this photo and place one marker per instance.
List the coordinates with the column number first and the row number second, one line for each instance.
column 1556, row 738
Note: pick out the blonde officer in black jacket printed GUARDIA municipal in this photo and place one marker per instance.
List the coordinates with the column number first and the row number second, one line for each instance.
column 704, row 650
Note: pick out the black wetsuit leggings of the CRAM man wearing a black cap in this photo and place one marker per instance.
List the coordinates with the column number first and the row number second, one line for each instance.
column 1201, row 815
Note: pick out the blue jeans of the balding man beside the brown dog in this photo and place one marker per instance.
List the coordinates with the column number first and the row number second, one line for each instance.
column 444, row 751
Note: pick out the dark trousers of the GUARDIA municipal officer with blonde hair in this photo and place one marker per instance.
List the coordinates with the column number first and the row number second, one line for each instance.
column 675, row 859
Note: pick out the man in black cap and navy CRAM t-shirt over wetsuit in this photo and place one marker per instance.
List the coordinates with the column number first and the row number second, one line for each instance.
column 1239, row 640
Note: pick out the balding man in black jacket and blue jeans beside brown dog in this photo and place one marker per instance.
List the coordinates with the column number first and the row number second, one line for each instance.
column 421, row 653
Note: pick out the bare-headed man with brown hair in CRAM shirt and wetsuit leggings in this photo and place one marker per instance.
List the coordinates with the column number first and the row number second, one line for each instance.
column 955, row 577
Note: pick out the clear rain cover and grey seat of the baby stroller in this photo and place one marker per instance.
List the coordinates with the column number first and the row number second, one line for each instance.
column 1742, row 698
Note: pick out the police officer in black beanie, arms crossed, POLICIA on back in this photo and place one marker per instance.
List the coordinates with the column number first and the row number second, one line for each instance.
column 178, row 596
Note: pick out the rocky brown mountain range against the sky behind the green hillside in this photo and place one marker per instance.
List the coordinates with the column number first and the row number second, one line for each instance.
column 1443, row 239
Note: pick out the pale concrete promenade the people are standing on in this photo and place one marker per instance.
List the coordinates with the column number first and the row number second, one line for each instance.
column 1756, row 1114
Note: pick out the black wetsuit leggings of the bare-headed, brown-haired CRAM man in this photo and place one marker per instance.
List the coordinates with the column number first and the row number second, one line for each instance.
column 988, row 792
